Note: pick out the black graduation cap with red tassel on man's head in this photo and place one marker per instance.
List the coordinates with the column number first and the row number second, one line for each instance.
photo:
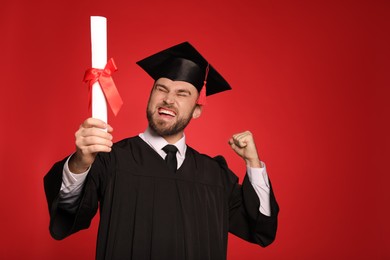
column 183, row 62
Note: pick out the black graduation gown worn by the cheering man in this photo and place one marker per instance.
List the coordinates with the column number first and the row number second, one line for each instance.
column 147, row 212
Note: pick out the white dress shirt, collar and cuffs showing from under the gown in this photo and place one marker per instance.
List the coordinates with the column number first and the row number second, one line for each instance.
column 72, row 184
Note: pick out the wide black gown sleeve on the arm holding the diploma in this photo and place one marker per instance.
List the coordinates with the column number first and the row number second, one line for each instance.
column 62, row 222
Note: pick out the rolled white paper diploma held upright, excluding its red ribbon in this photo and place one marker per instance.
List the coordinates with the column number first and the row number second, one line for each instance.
column 99, row 61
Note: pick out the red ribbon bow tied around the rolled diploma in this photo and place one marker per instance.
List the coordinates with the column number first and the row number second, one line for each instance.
column 106, row 83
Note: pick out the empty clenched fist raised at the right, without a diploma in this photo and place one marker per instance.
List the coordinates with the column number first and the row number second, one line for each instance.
column 244, row 145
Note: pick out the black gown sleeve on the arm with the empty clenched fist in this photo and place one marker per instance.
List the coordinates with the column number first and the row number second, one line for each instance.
column 245, row 219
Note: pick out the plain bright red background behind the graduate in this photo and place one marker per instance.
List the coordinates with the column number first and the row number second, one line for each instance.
column 310, row 79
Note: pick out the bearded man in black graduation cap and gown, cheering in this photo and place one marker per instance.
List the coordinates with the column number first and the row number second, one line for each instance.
column 158, row 197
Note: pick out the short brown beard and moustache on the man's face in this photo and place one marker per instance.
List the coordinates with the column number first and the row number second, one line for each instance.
column 161, row 128
